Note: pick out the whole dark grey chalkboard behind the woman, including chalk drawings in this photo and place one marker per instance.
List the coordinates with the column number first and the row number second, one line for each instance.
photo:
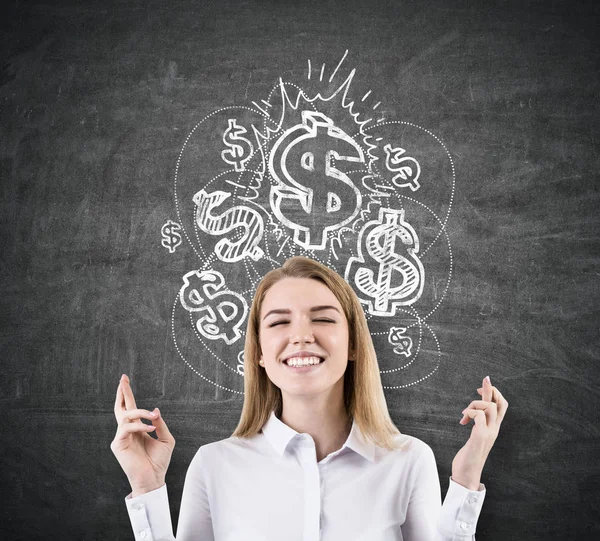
column 115, row 115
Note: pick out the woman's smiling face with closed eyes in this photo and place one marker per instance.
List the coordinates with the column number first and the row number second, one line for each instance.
column 301, row 317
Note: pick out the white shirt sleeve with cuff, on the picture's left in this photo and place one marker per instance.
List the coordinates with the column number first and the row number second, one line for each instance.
column 150, row 514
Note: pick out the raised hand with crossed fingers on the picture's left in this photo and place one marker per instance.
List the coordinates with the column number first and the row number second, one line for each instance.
column 144, row 460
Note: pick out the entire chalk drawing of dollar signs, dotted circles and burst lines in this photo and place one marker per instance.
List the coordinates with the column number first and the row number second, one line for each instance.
column 312, row 167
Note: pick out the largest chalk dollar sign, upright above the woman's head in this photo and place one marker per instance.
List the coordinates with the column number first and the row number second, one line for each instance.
column 311, row 195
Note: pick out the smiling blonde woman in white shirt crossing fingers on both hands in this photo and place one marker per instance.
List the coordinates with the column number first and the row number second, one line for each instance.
column 315, row 455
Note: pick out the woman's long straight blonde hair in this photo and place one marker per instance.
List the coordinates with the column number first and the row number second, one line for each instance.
column 363, row 393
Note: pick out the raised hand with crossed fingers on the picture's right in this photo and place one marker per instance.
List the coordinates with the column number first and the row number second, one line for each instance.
column 488, row 413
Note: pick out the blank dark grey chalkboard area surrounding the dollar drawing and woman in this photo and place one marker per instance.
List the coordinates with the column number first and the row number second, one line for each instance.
column 96, row 99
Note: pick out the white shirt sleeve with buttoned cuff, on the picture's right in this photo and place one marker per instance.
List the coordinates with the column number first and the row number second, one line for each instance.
column 429, row 520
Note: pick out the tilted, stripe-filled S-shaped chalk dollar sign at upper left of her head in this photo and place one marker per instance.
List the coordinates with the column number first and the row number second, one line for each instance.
column 235, row 217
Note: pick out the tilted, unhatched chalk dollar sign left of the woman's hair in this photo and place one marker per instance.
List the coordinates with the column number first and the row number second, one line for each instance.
column 223, row 311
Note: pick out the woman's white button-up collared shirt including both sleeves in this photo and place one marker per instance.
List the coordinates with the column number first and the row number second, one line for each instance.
column 271, row 488
